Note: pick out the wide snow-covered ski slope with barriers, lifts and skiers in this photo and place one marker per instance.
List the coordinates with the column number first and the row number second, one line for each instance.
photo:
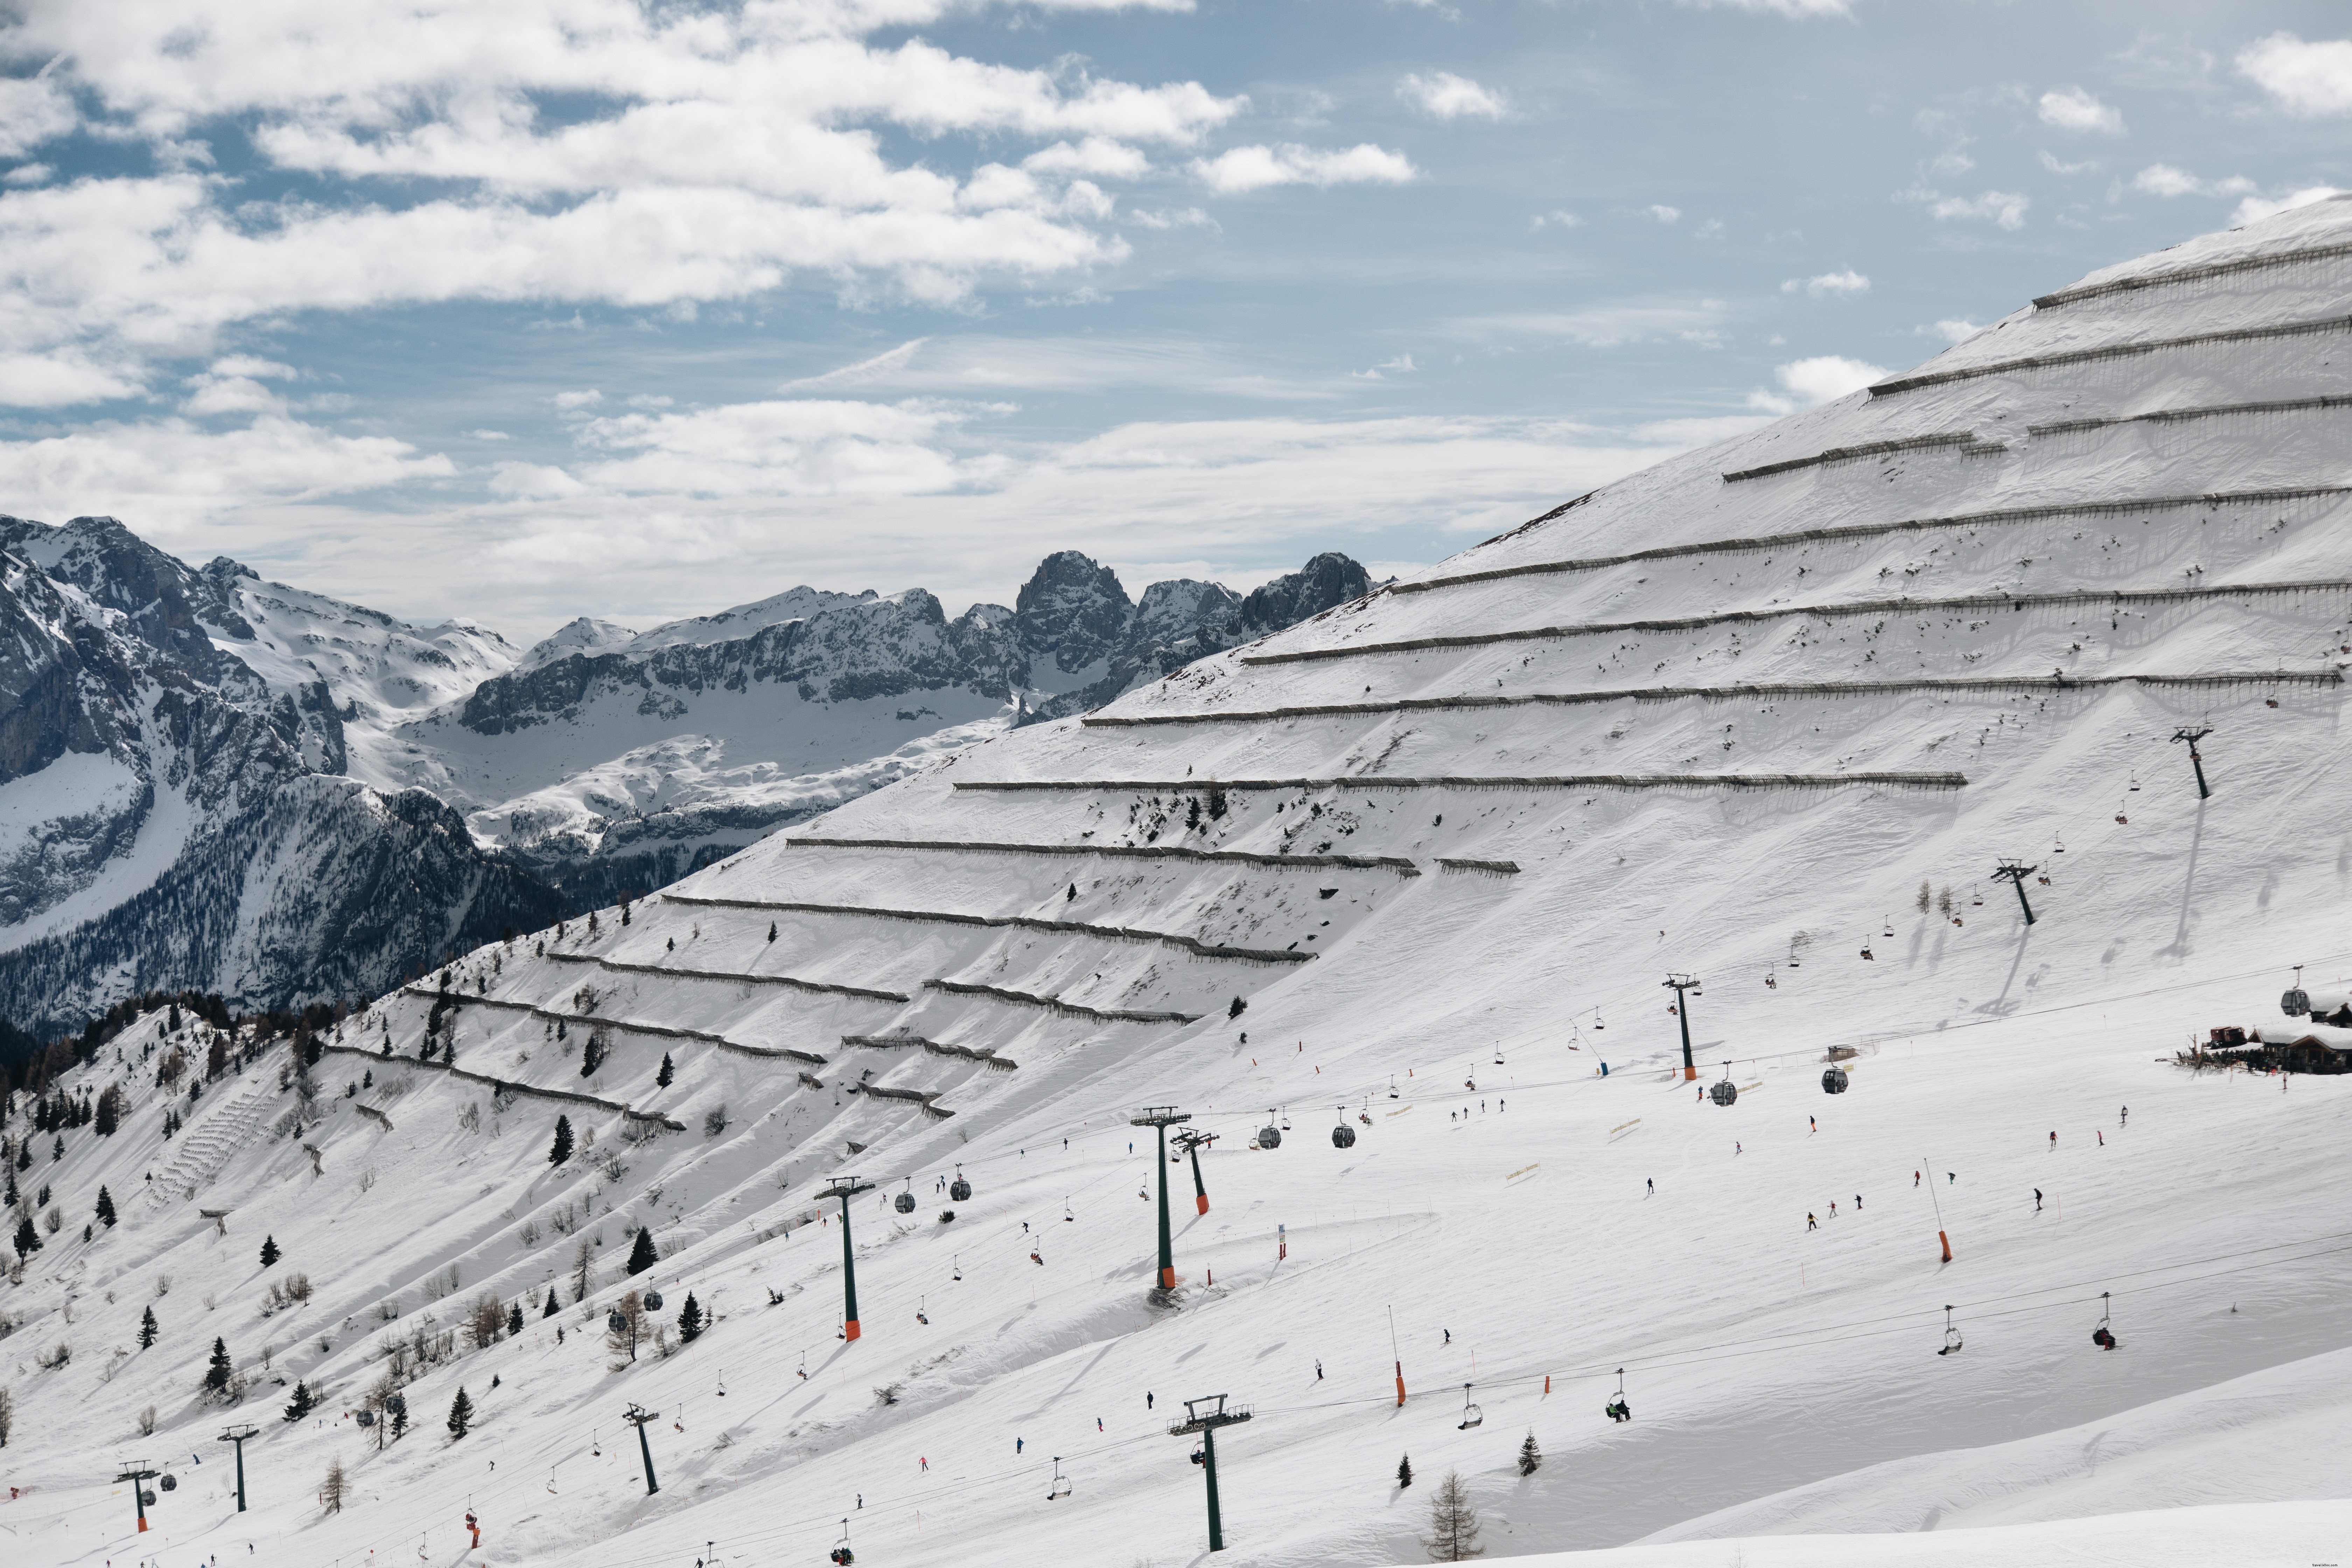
column 1445, row 847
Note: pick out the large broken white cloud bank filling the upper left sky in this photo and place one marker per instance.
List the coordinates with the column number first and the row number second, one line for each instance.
column 704, row 156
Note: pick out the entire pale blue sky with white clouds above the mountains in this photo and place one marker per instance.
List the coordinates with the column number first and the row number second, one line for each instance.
column 582, row 307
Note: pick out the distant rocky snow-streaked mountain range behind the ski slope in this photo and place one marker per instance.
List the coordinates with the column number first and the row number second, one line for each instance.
column 234, row 786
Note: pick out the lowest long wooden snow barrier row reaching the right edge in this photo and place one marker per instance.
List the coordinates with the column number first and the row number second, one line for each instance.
column 1676, row 695
